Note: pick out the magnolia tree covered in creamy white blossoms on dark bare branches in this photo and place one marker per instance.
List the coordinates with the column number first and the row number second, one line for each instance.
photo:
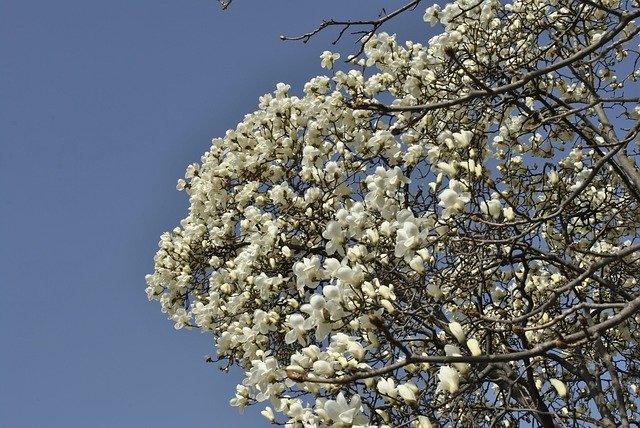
column 447, row 233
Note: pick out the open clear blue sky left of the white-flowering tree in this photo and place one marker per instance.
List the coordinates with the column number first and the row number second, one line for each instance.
column 103, row 104
